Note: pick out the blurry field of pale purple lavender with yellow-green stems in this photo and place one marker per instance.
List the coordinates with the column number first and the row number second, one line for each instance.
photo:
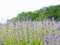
column 30, row 33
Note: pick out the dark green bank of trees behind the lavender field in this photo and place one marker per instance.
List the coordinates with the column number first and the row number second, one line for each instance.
column 45, row 12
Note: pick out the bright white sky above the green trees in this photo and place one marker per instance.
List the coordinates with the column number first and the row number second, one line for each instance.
column 10, row 8
